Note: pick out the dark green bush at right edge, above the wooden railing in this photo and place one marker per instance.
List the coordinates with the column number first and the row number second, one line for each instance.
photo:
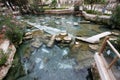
column 115, row 18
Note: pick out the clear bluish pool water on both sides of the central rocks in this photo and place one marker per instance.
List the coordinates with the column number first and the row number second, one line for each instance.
column 56, row 63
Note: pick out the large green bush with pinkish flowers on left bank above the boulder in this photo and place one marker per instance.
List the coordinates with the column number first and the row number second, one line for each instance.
column 13, row 31
